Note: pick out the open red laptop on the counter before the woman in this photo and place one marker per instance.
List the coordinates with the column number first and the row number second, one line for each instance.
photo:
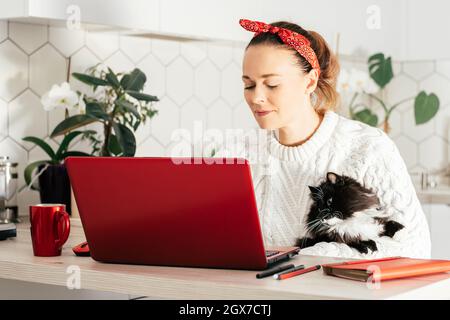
column 158, row 211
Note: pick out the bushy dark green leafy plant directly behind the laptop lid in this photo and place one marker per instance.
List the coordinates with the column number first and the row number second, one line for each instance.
column 118, row 104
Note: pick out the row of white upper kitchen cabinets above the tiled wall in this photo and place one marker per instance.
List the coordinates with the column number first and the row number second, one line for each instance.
column 407, row 29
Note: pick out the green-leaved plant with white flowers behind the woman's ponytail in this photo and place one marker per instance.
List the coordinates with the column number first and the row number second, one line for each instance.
column 372, row 85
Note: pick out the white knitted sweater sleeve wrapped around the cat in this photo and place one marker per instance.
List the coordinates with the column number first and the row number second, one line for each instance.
column 379, row 166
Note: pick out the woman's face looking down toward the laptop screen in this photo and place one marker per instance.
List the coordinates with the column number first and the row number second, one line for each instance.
column 276, row 89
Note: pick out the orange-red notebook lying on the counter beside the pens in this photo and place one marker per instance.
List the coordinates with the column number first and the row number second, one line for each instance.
column 386, row 268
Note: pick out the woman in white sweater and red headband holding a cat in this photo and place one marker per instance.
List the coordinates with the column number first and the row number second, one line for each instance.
column 289, row 77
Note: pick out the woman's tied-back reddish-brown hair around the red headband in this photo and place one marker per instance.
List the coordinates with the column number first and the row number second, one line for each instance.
column 327, row 96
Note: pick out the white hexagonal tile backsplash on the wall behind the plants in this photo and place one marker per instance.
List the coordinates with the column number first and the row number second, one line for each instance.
column 195, row 81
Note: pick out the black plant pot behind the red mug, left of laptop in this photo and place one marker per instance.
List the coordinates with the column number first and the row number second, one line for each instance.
column 54, row 185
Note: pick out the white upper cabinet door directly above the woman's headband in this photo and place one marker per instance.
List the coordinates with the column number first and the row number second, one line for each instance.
column 220, row 19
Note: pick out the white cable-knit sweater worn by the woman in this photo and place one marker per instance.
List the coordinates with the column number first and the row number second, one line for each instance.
column 346, row 147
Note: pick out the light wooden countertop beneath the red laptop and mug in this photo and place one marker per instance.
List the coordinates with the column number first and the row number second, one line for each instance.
column 17, row 262
